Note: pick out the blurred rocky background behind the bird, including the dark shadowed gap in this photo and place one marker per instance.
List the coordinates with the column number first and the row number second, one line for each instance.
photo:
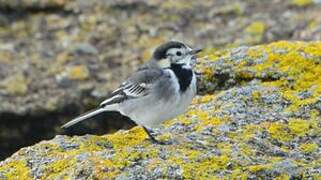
column 59, row 58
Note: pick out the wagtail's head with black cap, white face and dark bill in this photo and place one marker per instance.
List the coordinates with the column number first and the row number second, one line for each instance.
column 174, row 53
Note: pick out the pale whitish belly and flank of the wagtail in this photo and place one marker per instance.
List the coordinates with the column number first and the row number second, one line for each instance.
column 154, row 111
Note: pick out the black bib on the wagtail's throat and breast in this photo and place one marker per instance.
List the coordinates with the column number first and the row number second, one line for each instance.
column 183, row 75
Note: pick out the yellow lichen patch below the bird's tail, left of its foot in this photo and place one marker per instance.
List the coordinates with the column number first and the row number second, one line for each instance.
column 110, row 167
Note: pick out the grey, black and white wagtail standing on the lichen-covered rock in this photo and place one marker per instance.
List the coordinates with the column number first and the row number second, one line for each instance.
column 160, row 90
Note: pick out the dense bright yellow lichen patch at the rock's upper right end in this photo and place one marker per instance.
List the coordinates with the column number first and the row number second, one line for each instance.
column 302, row 73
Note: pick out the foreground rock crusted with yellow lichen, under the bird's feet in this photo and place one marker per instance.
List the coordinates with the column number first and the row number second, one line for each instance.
column 258, row 117
